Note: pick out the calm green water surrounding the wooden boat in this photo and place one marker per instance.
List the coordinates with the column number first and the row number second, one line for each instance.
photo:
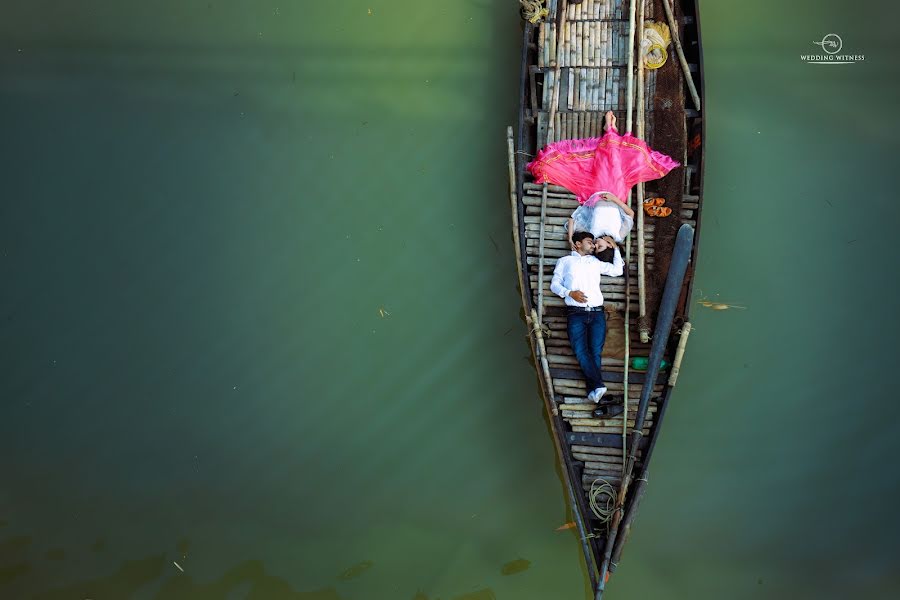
column 260, row 318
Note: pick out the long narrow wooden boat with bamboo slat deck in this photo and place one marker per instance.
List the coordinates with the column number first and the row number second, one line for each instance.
column 575, row 67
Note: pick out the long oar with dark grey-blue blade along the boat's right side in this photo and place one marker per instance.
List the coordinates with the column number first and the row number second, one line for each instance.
column 674, row 280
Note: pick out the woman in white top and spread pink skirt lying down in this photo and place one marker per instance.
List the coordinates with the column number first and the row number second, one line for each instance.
column 600, row 172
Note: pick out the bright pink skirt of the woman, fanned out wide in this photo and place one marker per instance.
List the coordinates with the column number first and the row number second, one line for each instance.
column 613, row 163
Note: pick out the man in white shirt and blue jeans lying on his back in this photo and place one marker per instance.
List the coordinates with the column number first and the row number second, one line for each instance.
column 576, row 278
